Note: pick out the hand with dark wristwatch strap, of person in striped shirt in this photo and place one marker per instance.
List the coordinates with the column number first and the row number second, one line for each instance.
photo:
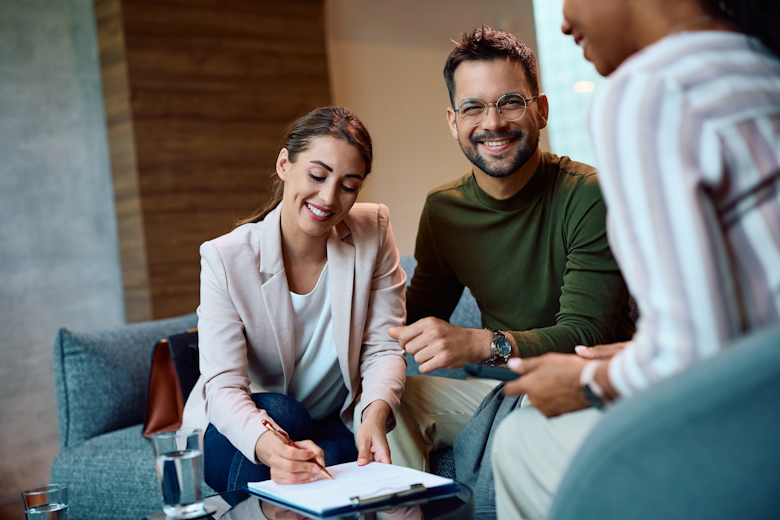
column 551, row 382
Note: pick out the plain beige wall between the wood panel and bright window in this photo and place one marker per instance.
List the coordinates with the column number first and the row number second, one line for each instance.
column 386, row 60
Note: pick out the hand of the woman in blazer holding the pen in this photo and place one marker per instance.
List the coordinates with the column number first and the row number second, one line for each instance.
column 289, row 464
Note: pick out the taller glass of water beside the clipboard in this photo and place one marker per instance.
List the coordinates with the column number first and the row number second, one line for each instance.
column 179, row 458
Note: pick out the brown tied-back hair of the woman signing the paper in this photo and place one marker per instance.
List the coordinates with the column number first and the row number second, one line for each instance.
column 337, row 122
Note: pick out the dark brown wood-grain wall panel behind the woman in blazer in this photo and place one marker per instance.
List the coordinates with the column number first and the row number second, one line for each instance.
column 212, row 85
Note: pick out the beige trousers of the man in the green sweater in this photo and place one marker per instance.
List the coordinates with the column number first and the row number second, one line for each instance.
column 433, row 411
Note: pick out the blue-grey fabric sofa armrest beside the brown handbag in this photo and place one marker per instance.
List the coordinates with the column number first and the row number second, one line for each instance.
column 101, row 377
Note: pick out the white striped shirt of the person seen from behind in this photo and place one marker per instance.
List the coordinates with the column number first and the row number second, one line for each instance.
column 687, row 140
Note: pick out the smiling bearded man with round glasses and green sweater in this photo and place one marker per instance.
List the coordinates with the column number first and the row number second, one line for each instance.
column 525, row 232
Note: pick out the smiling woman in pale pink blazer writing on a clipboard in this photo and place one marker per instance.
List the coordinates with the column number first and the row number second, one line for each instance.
column 293, row 318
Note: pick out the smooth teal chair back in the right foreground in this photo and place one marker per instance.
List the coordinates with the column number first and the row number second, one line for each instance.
column 702, row 444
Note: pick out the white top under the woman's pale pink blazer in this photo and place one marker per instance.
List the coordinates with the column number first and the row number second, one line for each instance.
column 317, row 382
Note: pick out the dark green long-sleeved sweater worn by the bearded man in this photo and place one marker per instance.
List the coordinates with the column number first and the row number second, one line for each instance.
column 538, row 263
